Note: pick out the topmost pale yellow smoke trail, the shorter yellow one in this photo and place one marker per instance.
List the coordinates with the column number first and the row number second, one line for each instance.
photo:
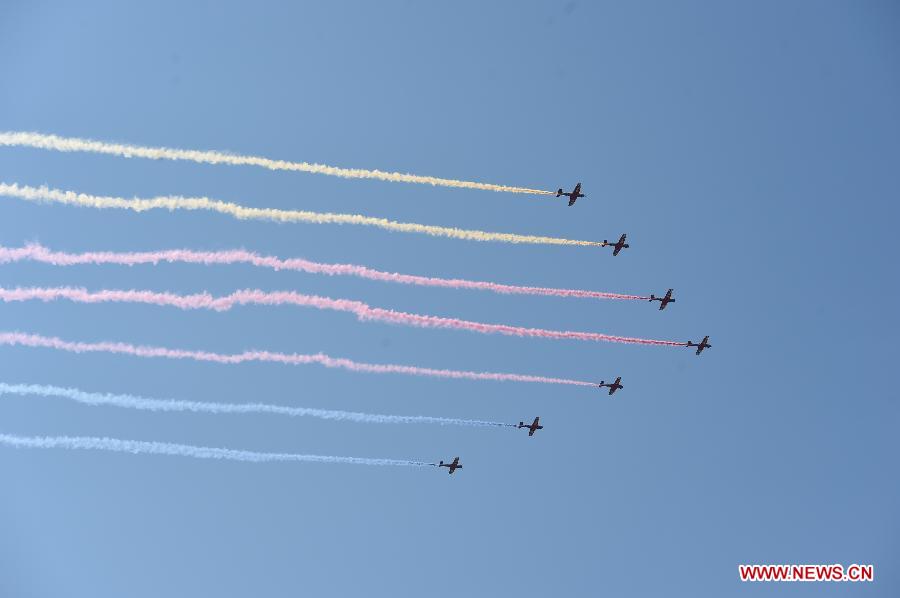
column 74, row 144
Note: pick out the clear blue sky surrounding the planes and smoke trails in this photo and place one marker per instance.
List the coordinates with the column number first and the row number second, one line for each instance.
column 749, row 150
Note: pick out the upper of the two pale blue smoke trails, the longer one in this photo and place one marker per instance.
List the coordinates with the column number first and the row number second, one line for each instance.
column 134, row 402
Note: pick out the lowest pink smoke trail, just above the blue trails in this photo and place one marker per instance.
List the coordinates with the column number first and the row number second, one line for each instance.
column 38, row 341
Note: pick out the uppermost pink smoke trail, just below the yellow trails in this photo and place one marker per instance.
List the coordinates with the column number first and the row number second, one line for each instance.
column 39, row 253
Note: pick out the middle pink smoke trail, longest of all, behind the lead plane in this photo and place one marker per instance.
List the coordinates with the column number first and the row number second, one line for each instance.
column 362, row 310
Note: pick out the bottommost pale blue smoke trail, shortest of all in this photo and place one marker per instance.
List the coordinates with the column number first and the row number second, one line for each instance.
column 139, row 447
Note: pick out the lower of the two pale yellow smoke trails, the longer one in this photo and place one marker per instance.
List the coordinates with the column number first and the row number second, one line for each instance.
column 172, row 202
